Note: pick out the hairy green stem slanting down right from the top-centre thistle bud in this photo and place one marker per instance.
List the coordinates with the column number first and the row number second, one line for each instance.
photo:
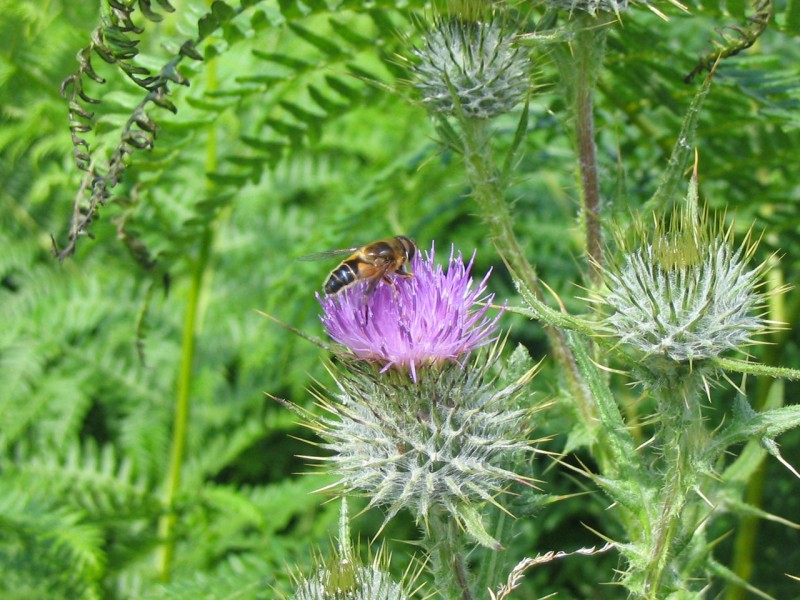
column 488, row 189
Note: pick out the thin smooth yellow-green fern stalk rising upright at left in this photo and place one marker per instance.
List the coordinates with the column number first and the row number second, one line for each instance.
column 200, row 271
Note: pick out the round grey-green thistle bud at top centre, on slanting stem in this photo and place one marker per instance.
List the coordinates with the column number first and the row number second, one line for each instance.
column 470, row 67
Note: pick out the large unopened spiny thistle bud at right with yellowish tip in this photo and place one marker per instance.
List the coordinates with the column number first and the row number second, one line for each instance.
column 685, row 294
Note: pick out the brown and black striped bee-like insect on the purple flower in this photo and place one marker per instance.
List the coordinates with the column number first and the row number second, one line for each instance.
column 372, row 264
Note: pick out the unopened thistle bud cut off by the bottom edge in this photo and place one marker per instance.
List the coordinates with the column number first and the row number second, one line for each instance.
column 344, row 577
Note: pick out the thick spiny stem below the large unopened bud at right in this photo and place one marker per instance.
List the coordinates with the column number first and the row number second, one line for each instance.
column 684, row 441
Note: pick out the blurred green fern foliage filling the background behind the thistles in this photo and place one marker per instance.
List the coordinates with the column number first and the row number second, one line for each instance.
column 296, row 135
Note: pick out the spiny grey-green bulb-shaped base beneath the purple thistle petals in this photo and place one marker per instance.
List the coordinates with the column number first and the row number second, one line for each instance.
column 446, row 443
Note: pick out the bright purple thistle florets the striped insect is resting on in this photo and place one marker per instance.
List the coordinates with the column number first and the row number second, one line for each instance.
column 425, row 319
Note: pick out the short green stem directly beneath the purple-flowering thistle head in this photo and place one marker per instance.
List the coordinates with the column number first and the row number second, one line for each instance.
column 447, row 560
